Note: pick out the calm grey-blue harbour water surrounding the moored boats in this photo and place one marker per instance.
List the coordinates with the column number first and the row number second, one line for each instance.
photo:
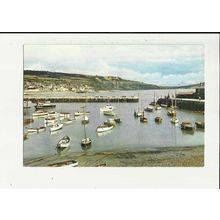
column 129, row 135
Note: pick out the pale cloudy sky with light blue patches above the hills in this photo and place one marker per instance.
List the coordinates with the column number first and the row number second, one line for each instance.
column 165, row 65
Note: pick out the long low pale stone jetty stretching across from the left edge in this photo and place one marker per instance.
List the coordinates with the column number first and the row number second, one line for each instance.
column 54, row 99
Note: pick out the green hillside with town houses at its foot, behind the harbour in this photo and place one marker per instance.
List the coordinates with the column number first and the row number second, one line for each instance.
column 54, row 80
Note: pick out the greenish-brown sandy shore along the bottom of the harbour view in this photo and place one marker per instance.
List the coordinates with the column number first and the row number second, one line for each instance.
column 160, row 157
